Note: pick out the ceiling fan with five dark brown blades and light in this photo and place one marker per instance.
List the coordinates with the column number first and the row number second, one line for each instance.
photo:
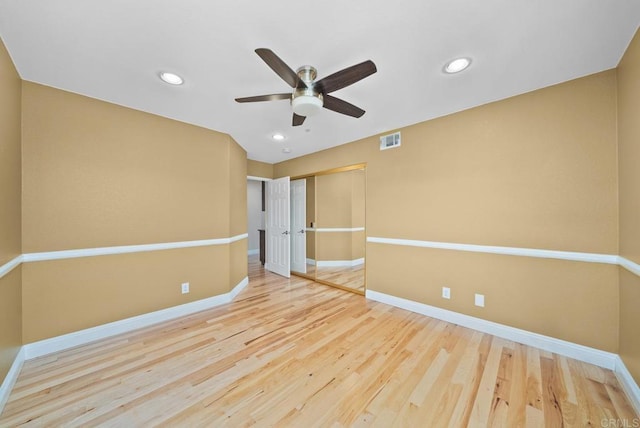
column 309, row 95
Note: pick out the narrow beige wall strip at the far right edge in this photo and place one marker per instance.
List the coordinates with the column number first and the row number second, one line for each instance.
column 629, row 196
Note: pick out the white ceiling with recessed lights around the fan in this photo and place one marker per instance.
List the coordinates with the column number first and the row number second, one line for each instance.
column 113, row 51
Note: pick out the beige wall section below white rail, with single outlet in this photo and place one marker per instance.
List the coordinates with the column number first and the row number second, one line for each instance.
column 63, row 296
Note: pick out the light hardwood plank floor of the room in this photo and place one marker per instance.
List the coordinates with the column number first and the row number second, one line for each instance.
column 298, row 353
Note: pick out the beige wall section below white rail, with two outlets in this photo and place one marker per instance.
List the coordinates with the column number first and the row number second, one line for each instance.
column 573, row 301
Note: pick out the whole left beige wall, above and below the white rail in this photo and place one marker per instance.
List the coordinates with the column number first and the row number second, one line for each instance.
column 100, row 175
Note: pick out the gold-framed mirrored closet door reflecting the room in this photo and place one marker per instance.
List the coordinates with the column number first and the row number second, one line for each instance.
column 330, row 246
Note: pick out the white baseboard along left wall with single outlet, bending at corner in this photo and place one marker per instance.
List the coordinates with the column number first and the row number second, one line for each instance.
column 82, row 337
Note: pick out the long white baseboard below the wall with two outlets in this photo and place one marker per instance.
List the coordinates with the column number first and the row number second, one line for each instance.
column 594, row 356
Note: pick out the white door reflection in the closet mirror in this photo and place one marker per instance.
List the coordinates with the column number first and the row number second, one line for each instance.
column 298, row 225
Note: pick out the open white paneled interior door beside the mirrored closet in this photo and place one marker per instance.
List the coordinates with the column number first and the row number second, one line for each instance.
column 277, row 230
